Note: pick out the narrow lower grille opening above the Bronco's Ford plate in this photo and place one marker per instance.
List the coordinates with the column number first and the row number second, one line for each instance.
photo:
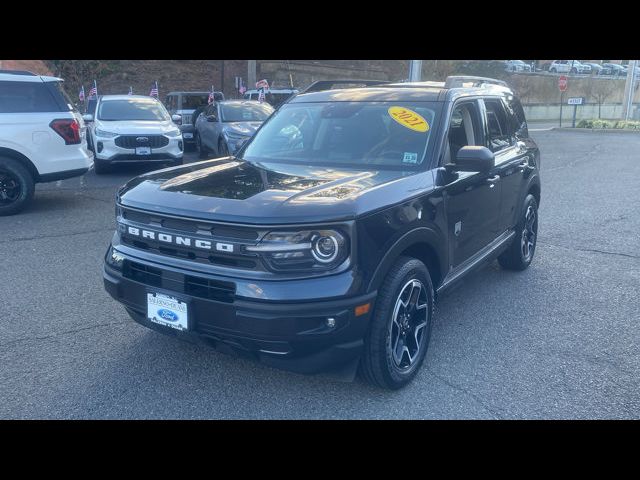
column 206, row 288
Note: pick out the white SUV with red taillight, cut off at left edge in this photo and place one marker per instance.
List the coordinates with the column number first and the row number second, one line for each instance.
column 42, row 137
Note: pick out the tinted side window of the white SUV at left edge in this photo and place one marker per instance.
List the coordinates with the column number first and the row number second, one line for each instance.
column 25, row 97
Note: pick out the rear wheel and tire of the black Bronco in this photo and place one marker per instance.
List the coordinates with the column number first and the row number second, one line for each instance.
column 520, row 253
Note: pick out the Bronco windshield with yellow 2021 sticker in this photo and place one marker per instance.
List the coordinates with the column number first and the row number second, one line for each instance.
column 393, row 134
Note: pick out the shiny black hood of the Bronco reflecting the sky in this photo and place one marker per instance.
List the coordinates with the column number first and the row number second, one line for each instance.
column 232, row 190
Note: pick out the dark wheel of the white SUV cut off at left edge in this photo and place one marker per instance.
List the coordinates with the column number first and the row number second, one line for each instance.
column 16, row 186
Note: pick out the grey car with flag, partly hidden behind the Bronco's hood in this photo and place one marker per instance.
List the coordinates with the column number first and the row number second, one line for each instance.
column 224, row 126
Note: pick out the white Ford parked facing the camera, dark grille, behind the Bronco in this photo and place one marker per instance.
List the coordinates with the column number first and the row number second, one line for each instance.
column 133, row 129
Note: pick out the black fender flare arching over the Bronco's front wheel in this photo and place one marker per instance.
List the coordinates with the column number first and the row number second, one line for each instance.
column 416, row 236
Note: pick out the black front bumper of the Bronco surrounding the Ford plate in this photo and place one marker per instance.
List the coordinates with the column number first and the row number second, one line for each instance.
column 290, row 335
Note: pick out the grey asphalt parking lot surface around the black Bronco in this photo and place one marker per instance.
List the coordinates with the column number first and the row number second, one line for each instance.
column 559, row 340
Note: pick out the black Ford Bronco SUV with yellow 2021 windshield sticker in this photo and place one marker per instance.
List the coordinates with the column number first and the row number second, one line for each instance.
column 323, row 242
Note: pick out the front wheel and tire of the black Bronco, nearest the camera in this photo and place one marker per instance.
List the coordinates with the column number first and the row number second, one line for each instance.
column 397, row 341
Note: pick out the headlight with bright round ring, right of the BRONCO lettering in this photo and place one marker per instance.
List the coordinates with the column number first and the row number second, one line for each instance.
column 305, row 250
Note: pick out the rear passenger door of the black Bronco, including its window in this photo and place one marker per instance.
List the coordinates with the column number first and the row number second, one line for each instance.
column 502, row 138
